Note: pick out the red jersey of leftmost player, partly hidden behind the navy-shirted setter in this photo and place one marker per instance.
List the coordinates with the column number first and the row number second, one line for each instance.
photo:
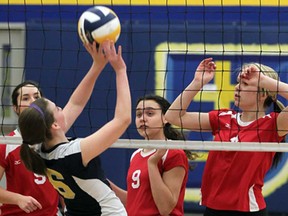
column 22, row 181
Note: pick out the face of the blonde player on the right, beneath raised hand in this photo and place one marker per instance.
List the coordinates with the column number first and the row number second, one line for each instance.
column 246, row 97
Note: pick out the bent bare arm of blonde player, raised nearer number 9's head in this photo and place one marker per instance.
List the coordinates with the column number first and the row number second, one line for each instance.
column 177, row 113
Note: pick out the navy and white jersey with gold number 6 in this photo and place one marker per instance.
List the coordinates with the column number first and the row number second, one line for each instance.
column 85, row 190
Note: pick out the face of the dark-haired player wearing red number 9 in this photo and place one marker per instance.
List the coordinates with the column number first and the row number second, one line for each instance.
column 150, row 120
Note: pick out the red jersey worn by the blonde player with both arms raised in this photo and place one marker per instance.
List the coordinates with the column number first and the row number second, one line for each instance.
column 233, row 180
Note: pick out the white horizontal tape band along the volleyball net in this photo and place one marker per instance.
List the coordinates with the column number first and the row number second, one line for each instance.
column 180, row 144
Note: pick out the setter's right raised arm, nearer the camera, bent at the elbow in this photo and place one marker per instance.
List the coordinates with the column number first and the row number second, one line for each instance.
column 98, row 142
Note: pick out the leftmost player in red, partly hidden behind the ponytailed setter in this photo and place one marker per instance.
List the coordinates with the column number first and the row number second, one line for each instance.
column 24, row 188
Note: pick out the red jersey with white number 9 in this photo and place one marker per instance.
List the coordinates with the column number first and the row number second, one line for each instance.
column 140, row 201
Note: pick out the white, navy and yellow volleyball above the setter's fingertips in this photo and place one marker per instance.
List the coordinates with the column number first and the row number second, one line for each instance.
column 99, row 23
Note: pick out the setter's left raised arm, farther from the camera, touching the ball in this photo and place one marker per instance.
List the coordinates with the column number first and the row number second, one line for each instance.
column 82, row 93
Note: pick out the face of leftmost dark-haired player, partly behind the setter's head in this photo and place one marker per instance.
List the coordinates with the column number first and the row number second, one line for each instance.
column 27, row 95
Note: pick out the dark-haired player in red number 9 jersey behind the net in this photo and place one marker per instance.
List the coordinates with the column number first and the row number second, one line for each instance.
column 156, row 179
